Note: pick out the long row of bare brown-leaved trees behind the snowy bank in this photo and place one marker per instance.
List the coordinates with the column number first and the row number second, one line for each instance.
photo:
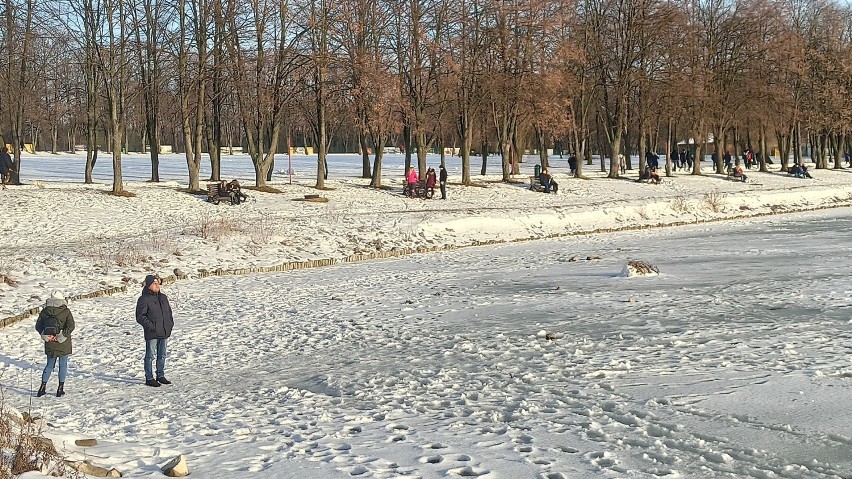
column 486, row 76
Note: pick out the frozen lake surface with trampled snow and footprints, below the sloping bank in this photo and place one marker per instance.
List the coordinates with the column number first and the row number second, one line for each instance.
column 733, row 362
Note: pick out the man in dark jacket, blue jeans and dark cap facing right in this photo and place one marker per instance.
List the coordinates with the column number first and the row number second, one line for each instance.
column 154, row 313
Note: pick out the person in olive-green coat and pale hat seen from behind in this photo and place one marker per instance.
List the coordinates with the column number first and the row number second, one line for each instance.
column 55, row 324
